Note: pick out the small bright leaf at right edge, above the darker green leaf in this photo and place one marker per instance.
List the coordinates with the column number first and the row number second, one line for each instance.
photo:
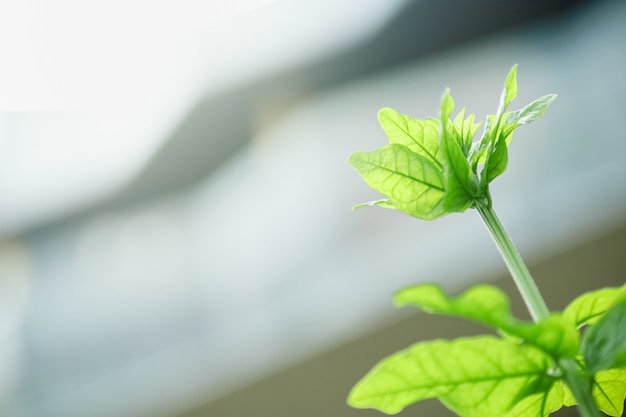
column 589, row 307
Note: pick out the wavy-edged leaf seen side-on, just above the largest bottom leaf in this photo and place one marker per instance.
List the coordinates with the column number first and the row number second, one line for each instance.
column 488, row 305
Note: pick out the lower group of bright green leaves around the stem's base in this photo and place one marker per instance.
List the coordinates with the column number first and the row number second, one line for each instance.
column 517, row 374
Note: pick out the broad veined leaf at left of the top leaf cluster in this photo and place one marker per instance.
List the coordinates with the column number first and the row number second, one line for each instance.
column 410, row 181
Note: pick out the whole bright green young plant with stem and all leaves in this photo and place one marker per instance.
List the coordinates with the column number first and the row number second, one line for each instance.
column 432, row 168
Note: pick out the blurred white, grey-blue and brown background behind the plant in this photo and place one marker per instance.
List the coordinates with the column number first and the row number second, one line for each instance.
column 176, row 233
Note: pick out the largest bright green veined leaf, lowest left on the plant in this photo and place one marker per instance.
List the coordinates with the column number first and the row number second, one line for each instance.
column 474, row 377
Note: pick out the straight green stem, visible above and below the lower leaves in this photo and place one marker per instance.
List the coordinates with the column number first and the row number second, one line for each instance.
column 579, row 383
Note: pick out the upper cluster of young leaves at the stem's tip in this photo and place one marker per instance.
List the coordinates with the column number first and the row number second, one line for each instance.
column 434, row 167
